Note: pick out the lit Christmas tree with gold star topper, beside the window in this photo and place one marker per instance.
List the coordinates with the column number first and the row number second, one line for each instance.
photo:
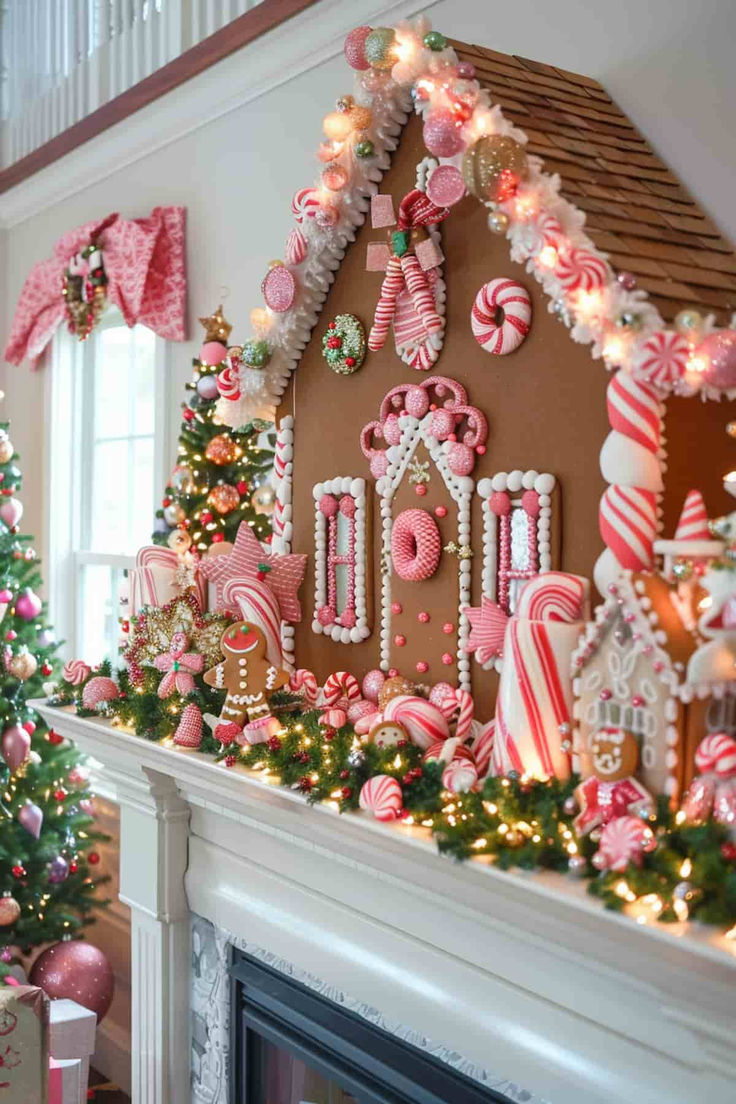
column 221, row 477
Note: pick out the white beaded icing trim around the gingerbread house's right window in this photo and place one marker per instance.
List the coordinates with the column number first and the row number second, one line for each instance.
column 514, row 482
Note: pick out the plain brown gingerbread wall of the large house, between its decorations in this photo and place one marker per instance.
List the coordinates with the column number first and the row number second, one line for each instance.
column 546, row 407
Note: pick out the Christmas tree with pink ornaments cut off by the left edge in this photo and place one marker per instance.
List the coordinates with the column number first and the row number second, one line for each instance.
column 47, row 836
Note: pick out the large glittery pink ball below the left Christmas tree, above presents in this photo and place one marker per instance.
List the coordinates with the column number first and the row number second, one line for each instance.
column 77, row 971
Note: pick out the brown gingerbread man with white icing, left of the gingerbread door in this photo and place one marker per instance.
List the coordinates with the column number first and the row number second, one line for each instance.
column 246, row 674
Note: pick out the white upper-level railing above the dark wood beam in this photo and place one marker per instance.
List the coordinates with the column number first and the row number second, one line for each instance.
column 65, row 59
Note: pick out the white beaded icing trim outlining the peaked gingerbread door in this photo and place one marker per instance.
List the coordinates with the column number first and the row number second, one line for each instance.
column 461, row 490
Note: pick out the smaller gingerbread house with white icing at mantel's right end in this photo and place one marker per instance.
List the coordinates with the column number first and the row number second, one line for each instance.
column 659, row 660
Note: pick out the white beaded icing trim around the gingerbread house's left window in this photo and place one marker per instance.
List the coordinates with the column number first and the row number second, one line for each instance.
column 355, row 487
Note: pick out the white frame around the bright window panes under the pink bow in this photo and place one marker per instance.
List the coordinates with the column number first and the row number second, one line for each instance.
column 69, row 451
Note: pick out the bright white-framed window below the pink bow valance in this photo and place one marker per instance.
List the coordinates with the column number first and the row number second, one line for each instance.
column 106, row 468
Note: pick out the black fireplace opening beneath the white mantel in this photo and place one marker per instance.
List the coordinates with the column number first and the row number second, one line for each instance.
column 291, row 1046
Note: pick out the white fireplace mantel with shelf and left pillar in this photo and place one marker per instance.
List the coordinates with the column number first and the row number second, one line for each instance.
column 526, row 975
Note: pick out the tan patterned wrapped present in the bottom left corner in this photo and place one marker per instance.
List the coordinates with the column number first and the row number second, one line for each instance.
column 24, row 1045
